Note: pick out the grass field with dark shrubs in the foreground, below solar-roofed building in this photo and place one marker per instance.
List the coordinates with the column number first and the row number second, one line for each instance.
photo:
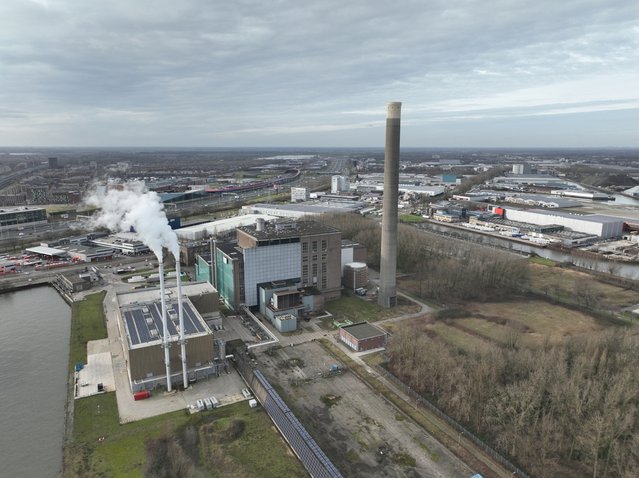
column 225, row 442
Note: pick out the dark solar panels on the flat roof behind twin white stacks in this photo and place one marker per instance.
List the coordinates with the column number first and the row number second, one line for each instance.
column 144, row 322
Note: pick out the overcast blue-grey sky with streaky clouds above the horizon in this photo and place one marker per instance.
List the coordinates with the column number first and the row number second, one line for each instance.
column 318, row 73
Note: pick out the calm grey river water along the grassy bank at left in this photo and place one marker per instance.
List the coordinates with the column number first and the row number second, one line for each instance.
column 33, row 366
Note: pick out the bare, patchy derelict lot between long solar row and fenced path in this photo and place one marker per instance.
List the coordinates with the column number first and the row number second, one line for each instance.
column 360, row 432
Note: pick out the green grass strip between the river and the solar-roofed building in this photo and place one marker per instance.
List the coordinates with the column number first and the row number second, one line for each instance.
column 87, row 323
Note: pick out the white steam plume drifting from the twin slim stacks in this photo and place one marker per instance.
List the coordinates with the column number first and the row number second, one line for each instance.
column 132, row 206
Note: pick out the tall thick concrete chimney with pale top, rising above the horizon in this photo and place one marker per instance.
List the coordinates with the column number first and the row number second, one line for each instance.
column 388, row 258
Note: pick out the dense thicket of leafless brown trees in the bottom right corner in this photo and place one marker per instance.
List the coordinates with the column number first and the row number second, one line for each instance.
column 566, row 409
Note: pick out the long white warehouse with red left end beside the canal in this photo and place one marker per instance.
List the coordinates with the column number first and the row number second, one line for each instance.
column 595, row 224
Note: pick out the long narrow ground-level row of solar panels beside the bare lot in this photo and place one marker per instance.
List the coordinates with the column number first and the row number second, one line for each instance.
column 305, row 447
